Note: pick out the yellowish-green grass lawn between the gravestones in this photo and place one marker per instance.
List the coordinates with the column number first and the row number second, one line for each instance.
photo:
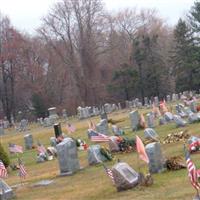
column 91, row 183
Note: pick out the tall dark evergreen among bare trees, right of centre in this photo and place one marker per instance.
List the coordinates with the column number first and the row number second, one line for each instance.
column 150, row 65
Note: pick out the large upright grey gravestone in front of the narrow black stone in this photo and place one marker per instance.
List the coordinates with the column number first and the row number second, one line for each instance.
column 67, row 157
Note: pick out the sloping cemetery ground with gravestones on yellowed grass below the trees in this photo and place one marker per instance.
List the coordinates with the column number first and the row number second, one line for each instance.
column 79, row 173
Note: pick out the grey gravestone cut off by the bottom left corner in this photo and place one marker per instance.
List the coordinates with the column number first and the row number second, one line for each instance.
column 6, row 191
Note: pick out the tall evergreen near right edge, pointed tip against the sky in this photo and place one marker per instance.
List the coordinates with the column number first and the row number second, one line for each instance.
column 184, row 58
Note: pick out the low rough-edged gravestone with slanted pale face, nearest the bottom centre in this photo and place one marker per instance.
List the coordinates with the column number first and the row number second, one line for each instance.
column 124, row 176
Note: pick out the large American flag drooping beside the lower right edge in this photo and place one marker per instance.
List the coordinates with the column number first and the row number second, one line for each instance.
column 192, row 172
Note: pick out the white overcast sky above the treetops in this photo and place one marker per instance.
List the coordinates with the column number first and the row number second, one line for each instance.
column 26, row 14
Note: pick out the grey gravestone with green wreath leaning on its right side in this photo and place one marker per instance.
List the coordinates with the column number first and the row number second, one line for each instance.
column 94, row 155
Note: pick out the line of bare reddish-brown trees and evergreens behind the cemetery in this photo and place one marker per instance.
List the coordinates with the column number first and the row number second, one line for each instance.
column 84, row 55
